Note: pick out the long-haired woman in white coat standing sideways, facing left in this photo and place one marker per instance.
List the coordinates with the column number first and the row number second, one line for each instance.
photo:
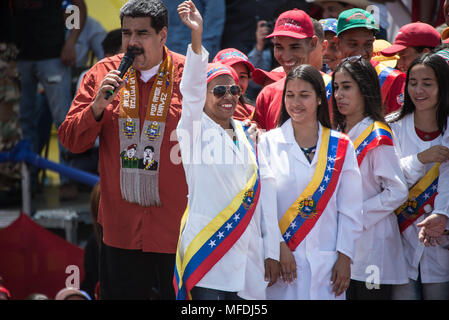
column 379, row 260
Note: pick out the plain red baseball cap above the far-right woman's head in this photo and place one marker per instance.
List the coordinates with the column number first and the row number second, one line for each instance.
column 416, row 34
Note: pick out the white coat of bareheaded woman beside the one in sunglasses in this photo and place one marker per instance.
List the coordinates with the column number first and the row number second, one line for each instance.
column 336, row 230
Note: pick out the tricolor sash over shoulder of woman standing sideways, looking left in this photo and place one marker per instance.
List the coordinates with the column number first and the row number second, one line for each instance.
column 376, row 134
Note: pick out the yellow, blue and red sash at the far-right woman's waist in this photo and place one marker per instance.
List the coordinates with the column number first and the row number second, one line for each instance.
column 421, row 194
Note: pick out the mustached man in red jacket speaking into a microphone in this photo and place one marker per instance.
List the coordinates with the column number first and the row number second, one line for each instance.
column 140, row 206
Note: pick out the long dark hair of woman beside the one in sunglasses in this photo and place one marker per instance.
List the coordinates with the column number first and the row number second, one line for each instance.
column 308, row 73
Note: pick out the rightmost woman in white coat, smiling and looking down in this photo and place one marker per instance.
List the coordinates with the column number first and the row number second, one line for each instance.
column 419, row 129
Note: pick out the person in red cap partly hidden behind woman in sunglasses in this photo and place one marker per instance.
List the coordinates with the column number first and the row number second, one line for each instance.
column 244, row 69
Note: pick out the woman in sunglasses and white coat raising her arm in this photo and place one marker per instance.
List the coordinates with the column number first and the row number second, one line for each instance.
column 226, row 238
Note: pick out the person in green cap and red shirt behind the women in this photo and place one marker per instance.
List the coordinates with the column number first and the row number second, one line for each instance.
column 356, row 30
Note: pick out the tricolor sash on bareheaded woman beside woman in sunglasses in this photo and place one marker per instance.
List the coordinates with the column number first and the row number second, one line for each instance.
column 302, row 215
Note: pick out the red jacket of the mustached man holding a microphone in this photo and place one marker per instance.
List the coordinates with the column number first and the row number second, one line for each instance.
column 127, row 225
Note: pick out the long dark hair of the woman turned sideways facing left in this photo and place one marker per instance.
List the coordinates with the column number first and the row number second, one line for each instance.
column 366, row 78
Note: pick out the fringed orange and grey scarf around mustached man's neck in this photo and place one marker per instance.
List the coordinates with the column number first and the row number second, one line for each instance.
column 140, row 150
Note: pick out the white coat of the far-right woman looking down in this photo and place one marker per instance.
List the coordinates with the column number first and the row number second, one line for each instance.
column 433, row 262
